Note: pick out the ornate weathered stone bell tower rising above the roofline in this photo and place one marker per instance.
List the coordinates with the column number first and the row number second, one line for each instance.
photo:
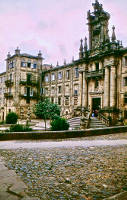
column 97, row 26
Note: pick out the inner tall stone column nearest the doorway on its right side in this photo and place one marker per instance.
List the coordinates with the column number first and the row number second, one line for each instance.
column 106, row 87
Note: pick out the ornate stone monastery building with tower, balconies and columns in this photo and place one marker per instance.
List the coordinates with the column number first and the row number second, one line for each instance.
column 97, row 80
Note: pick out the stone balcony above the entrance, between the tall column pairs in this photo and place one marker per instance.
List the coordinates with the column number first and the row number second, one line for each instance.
column 94, row 74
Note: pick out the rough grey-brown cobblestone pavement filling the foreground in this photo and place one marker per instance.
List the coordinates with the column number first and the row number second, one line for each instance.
column 84, row 173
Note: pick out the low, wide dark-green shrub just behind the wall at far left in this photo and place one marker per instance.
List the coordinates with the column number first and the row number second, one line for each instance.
column 19, row 128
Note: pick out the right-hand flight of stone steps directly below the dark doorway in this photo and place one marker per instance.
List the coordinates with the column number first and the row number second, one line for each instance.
column 96, row 123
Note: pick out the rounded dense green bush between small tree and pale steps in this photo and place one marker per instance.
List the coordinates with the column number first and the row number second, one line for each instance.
column 59, row 124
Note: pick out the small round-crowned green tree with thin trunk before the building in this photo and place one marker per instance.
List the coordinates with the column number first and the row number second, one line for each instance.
column 46, row 110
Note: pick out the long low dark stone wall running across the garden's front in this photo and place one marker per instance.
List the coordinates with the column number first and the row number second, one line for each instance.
column 61, row 134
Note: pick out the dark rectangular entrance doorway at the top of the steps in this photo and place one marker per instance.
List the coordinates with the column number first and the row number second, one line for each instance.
column 96, row 104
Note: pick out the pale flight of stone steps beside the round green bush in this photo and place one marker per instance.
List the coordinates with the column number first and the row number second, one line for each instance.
column 74, row 123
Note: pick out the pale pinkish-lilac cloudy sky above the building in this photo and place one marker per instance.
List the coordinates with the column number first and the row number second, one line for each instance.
column 53, row 26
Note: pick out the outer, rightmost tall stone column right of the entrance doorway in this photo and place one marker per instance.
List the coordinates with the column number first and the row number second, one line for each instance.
column 113, row 86
